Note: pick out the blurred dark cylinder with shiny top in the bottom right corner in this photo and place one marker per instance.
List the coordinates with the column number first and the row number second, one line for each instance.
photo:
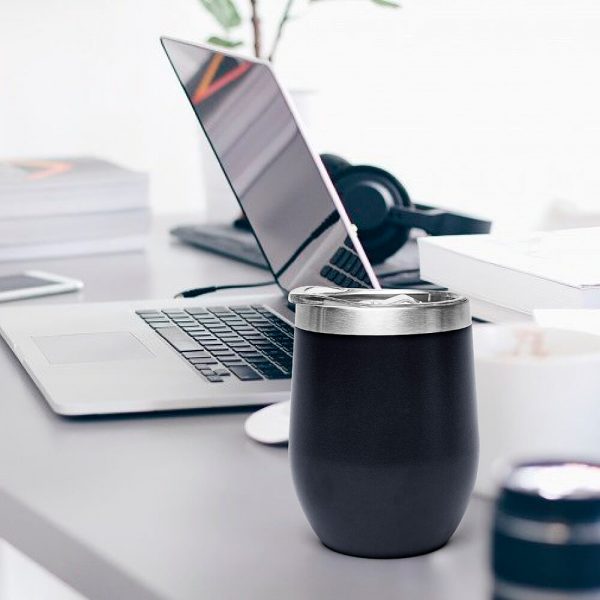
column 546, row 537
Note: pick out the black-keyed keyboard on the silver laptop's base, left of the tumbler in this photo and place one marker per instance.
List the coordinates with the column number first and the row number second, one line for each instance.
column 249, row 342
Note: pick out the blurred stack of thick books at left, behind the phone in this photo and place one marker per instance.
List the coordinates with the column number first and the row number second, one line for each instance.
column 70, row 206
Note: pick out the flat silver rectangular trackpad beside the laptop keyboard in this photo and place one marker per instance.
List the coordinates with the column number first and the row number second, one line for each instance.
column 91, row 347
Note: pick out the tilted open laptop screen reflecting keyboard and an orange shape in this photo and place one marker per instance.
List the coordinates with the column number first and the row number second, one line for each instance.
column 270, row 168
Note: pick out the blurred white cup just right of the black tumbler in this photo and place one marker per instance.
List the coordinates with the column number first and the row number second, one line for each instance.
column 538, row 392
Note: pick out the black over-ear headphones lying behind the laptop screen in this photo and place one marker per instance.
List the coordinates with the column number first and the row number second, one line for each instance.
column 383, row 212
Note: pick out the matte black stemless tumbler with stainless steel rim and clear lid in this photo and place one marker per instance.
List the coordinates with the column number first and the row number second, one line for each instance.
column 383, row 431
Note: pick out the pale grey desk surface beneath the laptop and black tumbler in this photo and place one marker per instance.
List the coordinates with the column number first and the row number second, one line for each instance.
column 182, row 505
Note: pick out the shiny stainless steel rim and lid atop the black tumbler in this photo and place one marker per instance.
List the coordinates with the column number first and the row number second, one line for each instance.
column 343, row 311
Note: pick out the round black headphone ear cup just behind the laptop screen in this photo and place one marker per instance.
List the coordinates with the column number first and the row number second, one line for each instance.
column 368, row 194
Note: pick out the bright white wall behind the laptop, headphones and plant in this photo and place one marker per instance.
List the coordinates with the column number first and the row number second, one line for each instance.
column 489, row 106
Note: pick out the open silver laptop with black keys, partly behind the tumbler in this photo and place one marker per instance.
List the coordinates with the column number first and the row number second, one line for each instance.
column 147, row 356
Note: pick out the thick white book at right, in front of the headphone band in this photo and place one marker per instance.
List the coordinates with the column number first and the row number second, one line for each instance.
column 521, row 273
